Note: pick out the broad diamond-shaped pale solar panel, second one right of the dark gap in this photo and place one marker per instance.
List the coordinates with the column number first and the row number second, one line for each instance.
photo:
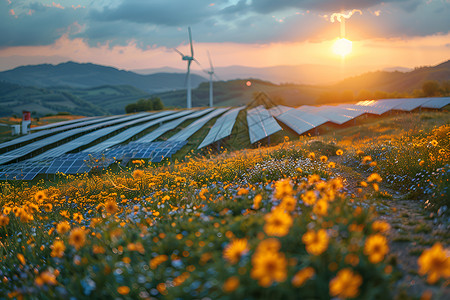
column 301, row 121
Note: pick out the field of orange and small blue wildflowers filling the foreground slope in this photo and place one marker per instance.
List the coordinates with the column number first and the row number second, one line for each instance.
column 306, row 219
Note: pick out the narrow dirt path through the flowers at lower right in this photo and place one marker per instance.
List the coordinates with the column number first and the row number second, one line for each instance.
column 412, row 231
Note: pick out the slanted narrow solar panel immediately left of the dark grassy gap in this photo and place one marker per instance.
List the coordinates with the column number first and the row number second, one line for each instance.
column 222, row 128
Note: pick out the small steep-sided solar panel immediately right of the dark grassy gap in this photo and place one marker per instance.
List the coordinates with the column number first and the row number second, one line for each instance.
column 261, row 124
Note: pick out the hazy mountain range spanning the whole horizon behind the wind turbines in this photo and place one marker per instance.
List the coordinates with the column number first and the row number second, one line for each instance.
column 90, row 89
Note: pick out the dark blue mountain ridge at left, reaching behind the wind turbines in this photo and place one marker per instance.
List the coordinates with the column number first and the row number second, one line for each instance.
column 89, row 75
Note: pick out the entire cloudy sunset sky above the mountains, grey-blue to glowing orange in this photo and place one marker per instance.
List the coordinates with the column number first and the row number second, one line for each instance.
column 137, row 34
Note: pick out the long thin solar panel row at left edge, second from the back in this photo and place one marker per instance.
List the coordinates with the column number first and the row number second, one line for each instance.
column 32, row 147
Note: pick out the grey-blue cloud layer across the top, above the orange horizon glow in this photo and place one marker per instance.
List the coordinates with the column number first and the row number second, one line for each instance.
column 164, row 22
